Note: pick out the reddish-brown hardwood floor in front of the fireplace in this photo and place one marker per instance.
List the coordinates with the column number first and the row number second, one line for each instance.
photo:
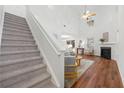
column 102, row 74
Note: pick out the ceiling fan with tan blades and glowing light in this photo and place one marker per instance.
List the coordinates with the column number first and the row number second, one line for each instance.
column 88, row 16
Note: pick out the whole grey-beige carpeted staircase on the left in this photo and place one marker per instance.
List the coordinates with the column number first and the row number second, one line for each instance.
column 21, row 65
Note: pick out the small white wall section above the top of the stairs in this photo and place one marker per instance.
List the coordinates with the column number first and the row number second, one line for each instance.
column 15, row 9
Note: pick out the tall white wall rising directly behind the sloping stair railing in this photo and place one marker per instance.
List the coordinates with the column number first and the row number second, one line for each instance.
column 53, row 19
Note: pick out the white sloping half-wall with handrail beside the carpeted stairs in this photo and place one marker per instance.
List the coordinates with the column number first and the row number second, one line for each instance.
column 53, row 55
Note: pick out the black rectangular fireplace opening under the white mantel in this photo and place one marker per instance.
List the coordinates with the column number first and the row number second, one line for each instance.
column 106, row 52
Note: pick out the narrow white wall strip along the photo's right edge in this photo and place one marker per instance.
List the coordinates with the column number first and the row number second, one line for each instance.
column 121, row 41
